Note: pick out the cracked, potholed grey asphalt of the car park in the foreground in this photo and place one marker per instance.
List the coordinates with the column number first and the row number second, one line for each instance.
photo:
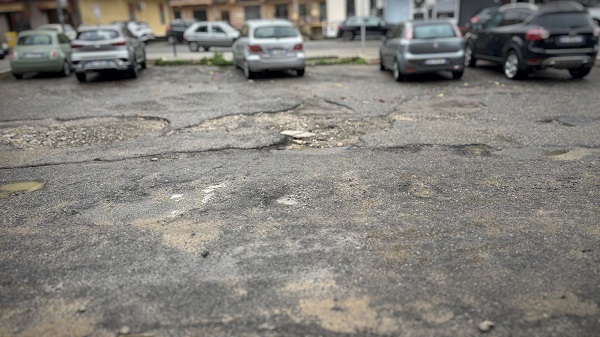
column 172, row 205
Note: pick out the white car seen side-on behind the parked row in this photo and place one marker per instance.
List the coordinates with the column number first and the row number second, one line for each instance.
column 206, row 34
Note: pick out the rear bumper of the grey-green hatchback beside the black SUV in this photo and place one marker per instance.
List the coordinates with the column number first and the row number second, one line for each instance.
column 428, row 63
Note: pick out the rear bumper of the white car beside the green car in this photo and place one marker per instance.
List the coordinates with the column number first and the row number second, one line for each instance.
column 101, row 61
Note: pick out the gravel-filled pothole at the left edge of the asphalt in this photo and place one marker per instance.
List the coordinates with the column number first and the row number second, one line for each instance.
column 52, row 133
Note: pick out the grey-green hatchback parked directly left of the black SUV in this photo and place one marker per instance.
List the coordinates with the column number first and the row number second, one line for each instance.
column 423, row 47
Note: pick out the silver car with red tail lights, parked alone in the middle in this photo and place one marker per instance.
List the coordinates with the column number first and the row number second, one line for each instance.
column 266, row 45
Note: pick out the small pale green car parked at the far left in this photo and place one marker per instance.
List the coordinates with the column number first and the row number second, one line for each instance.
column 41, row 51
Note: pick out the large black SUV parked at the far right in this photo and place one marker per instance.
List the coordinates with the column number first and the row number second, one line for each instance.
column 524, row 37
